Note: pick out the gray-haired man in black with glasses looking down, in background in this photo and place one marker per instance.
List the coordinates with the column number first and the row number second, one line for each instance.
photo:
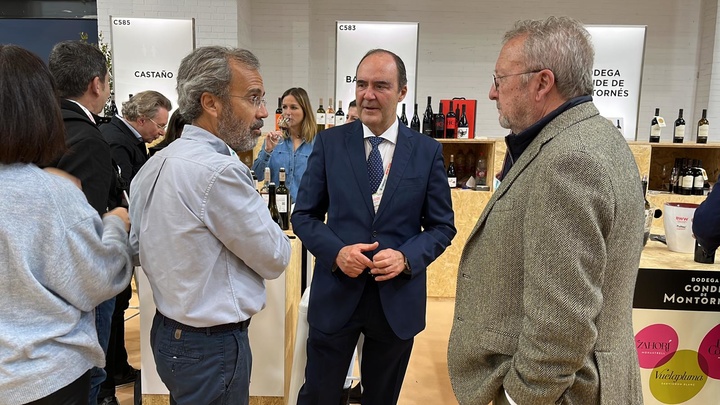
column 143, row 120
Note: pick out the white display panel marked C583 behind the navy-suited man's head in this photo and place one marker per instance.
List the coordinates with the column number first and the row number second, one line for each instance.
column 355, row 38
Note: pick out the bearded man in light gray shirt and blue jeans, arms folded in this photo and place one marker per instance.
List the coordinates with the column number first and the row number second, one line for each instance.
column 205, row 237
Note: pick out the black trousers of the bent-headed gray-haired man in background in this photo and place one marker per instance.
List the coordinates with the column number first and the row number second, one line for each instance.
column 116, row 359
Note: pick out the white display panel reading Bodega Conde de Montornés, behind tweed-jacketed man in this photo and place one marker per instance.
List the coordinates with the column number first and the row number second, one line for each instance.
column 617, row 74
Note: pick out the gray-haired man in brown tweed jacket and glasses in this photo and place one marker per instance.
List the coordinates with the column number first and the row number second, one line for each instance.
column 546, row 279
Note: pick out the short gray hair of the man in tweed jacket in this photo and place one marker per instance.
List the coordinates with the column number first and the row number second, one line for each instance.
column 562, row 45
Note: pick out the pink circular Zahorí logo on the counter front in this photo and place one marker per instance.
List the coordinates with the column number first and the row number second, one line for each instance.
column 655, row 345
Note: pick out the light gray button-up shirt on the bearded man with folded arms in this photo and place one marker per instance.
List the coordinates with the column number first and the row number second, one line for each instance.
column 205, row 237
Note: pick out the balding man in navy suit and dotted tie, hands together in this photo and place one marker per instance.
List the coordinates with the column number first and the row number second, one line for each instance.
column 389, row 215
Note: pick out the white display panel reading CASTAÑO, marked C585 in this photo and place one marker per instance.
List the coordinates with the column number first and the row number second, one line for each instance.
column 147, row 54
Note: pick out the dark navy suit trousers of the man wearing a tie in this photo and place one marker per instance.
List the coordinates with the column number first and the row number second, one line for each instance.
column 384, row 359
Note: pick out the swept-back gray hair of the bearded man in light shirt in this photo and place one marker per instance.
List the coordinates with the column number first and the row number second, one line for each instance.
column 207, row 70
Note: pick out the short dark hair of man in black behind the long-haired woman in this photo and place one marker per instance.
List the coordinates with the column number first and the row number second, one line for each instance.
column 74, row 64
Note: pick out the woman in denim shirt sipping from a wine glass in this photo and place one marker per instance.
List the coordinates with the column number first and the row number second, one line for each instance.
column 290, row 147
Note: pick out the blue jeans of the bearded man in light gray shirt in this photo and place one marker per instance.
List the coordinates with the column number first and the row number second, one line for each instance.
column 200, row 368
